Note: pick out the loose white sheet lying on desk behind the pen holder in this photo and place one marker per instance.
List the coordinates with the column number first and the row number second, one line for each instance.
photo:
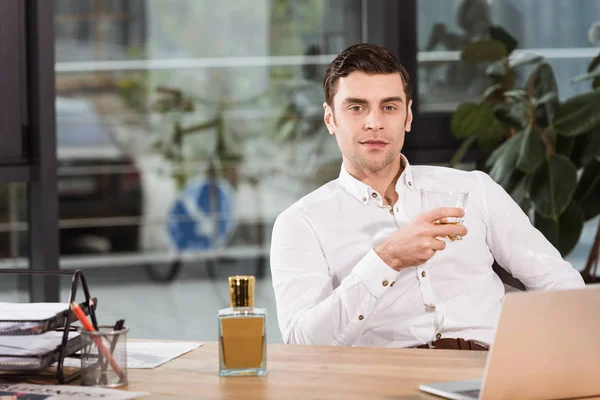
column 144, row 355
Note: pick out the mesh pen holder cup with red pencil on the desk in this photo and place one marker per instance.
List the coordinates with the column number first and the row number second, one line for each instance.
column 104, row 357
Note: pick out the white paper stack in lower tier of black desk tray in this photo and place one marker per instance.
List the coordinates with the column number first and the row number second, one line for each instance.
column 31, row 345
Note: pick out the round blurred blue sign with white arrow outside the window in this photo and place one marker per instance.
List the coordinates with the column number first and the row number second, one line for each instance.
column 199, row 219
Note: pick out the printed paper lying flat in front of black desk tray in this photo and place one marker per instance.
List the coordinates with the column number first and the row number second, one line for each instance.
column 55, row 392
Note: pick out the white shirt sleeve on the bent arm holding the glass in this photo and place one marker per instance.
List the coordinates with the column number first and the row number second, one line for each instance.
column 309, row 309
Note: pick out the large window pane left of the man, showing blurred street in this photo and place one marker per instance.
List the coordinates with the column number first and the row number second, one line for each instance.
column 184, row 127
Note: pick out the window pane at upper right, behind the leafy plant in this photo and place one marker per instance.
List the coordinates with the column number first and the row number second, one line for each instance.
column 559, row 30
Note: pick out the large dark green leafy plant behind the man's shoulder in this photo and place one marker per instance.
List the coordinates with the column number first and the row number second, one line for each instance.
column 543, row 151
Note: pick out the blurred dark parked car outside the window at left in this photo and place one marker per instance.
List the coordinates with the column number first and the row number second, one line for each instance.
column 99, row 186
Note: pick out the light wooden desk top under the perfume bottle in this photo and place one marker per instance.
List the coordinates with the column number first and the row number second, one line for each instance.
column 311, row 372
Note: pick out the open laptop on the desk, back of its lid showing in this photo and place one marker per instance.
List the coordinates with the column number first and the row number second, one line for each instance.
column 547, row 346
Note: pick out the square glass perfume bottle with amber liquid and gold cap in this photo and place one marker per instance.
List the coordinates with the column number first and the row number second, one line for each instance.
column 242, row 335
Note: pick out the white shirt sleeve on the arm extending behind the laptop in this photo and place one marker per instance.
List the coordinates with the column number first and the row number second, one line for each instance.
column 519, row 247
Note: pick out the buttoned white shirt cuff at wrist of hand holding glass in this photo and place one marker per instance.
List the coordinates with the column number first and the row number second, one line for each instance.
column 375, row 274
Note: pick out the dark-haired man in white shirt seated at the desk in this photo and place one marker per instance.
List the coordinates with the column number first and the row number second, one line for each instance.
column 358, row 263
